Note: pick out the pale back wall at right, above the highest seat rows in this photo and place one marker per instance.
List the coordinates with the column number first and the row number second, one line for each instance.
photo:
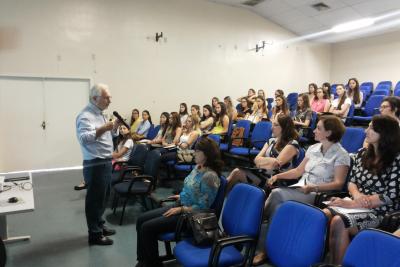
column 368, row 59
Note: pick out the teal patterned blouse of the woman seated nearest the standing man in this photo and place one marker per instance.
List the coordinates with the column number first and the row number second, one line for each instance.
column 200, row 189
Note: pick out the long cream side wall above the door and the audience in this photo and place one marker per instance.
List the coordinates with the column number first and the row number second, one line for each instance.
column 206, row 51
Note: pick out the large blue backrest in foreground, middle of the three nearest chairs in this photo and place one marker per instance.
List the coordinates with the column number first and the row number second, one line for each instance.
column 296, row 235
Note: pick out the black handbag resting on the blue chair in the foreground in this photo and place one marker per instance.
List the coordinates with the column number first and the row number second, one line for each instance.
column 204, row 227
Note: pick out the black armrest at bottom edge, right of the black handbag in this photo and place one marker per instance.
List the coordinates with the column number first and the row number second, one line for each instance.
column 229, row 241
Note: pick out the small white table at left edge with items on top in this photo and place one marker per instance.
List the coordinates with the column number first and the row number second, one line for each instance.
column 25, row 202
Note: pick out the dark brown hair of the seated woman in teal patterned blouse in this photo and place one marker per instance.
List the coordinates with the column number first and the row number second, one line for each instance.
column 211, row 150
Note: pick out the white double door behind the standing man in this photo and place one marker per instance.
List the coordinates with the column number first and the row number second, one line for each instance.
column 40, row 122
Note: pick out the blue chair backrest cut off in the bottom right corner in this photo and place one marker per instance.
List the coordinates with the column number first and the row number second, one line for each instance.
column 373, row 248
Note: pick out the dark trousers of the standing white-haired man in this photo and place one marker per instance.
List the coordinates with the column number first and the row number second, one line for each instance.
column 97, row 175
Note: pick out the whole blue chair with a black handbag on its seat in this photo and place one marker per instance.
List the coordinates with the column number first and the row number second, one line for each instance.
column 241, row 220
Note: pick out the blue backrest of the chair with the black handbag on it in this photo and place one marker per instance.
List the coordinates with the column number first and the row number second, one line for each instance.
column 243, row 210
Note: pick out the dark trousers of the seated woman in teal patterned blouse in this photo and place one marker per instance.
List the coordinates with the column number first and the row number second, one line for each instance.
column 149, row 226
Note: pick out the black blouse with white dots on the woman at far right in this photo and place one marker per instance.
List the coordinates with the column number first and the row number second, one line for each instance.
column 386, row 185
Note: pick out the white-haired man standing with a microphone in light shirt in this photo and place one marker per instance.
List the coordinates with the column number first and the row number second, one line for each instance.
column 95, row 135
